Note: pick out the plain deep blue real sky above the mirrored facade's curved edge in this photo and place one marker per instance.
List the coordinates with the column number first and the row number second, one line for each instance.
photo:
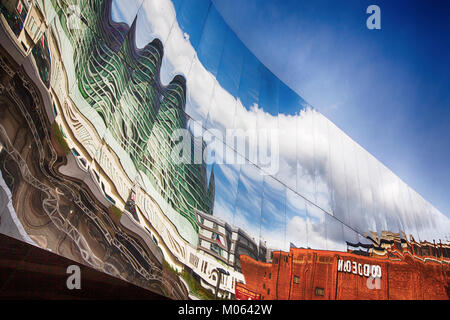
column 388, row 89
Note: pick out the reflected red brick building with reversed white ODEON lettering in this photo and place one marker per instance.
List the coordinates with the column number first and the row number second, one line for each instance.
column 400, row 273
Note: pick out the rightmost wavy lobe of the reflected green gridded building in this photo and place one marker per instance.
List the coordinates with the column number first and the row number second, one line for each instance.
column 183, row 185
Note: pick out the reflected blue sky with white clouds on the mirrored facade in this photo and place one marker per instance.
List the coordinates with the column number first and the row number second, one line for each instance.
column 328, row 190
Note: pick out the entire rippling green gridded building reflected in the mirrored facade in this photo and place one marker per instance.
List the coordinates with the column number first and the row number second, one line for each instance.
column 121, row 82
